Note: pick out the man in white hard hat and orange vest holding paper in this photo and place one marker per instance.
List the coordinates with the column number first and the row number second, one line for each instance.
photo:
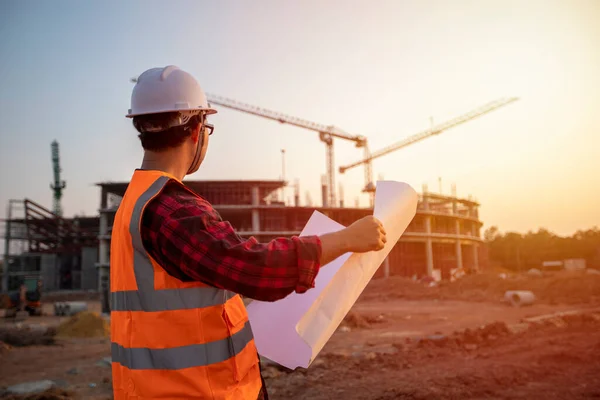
column 179, row 328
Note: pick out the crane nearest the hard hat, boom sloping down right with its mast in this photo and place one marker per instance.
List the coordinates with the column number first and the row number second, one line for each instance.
column 326, row 134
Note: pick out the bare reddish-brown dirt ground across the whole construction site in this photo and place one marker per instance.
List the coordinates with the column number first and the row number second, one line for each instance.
column 402, row 340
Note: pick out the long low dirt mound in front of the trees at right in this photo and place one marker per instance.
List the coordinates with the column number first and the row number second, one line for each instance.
column 564, row 287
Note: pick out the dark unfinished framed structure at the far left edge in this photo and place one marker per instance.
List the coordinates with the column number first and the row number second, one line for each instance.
column 40, row 244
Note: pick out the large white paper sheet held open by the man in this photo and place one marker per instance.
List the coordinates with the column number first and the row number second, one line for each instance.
column 292, row 331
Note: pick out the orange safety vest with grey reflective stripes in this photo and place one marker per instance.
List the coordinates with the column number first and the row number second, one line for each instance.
column 172, row 339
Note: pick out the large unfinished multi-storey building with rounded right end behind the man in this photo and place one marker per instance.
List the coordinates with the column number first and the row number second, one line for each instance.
column 444, row 236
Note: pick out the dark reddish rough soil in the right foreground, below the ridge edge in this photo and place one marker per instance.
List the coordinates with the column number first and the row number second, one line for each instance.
column 547, row 362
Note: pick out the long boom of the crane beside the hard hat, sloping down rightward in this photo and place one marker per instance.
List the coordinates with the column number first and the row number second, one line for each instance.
column 284, row 118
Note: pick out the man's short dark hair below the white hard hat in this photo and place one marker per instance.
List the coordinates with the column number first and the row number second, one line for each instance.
column 167, row 138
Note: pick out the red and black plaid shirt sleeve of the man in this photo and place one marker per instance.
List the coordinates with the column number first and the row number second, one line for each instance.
column 188, row 238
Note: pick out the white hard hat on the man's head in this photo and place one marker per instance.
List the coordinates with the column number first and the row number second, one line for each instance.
column 167, row 89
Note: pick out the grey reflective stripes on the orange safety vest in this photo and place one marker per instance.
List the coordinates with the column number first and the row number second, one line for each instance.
column 147, row 299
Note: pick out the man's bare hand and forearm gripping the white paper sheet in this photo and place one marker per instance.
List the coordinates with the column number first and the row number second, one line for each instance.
column 366, row 234
